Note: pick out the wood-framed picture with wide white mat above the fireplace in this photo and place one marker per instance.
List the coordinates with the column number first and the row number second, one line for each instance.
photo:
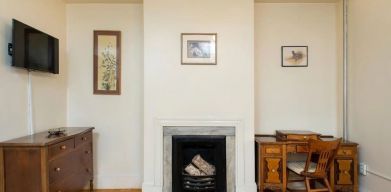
column 199, row 48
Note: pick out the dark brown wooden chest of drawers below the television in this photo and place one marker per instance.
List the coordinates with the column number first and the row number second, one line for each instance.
column 37, row 163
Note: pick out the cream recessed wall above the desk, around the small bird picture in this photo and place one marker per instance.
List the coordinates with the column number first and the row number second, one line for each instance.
column 297, row 97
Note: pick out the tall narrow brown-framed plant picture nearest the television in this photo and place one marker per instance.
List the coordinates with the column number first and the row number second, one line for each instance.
column 107, row 62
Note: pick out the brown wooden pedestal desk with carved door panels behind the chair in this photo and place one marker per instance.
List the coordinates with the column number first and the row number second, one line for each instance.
column 272, row 157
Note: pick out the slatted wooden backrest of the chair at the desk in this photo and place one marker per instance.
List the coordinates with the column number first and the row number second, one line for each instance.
column 326, row 151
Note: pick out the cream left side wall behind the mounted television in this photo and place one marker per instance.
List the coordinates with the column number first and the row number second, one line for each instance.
column 48, row 90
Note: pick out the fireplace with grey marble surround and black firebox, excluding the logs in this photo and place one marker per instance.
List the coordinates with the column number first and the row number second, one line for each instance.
column 202, row 141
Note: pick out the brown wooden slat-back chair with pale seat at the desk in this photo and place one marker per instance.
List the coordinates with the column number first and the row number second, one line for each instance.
column 320, row 156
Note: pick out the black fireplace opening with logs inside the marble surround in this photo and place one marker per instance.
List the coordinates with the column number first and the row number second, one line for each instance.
column 199, row 164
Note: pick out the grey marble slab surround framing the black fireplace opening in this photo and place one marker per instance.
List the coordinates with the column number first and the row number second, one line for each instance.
column 169, row 131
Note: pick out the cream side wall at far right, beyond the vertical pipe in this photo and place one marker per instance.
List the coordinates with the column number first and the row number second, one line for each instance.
column 369, row 88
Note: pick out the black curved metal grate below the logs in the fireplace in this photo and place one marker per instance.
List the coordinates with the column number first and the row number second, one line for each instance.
column 199, row 183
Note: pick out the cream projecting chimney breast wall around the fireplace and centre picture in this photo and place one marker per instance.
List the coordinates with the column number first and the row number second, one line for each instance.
column 175, row 91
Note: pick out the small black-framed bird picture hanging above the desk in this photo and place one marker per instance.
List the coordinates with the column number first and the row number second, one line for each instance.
column 294, row 56
